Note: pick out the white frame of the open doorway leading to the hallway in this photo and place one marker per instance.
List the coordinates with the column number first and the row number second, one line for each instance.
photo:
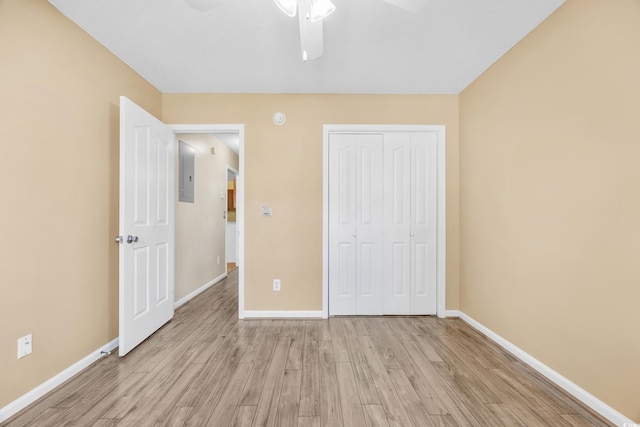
column 239, row 129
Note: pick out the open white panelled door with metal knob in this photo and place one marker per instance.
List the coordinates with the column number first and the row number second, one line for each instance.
column 147, row 212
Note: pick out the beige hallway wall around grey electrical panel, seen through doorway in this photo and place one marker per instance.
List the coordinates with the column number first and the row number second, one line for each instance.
column 200, row 226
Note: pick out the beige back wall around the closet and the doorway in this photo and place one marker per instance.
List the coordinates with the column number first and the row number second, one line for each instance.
column 289, row 245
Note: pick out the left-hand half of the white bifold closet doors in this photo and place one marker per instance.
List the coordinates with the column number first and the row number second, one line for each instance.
column 355, row 224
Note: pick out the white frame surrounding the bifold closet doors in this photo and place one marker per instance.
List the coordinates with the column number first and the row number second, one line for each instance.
column 441, row 239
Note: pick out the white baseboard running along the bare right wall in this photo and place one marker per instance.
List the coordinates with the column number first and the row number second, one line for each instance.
column 578, row 392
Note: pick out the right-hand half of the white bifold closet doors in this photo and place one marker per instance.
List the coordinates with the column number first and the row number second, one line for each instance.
column 410, row 187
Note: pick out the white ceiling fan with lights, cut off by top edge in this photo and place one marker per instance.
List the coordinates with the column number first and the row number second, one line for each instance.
column 310, row 13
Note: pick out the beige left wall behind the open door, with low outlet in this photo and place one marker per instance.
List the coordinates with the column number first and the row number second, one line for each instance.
column 59, row 112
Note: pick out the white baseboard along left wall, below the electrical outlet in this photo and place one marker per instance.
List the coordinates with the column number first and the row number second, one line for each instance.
column 22, row 402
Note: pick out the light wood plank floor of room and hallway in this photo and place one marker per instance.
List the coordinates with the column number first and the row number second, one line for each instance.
column 207, row 368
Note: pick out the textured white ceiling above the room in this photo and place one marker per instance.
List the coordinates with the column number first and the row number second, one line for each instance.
column 249, row 46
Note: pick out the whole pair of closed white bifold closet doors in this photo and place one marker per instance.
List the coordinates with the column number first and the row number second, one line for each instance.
column 382, row 223
